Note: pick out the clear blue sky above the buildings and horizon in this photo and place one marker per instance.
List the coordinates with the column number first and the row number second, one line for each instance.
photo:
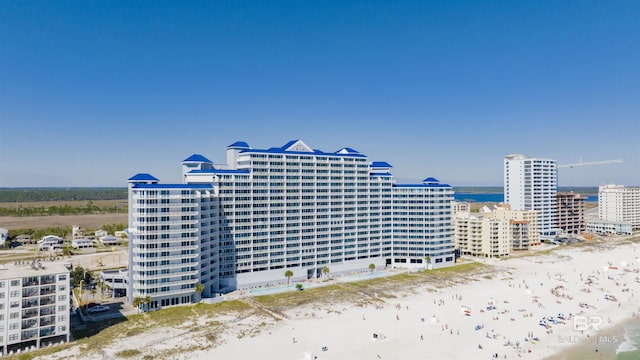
column 93, row 92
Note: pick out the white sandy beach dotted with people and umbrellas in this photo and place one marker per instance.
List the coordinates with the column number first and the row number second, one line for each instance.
column 530, row 307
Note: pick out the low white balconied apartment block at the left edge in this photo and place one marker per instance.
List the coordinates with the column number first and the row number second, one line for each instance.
column 34, row 305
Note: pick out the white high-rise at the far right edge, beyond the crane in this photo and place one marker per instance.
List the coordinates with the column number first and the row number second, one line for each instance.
column 619, row 203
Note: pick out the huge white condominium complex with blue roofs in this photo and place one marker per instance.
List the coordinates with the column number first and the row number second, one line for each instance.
column 272, row 210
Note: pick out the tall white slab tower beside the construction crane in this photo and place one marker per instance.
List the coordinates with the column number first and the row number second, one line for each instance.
column 531, row 184
